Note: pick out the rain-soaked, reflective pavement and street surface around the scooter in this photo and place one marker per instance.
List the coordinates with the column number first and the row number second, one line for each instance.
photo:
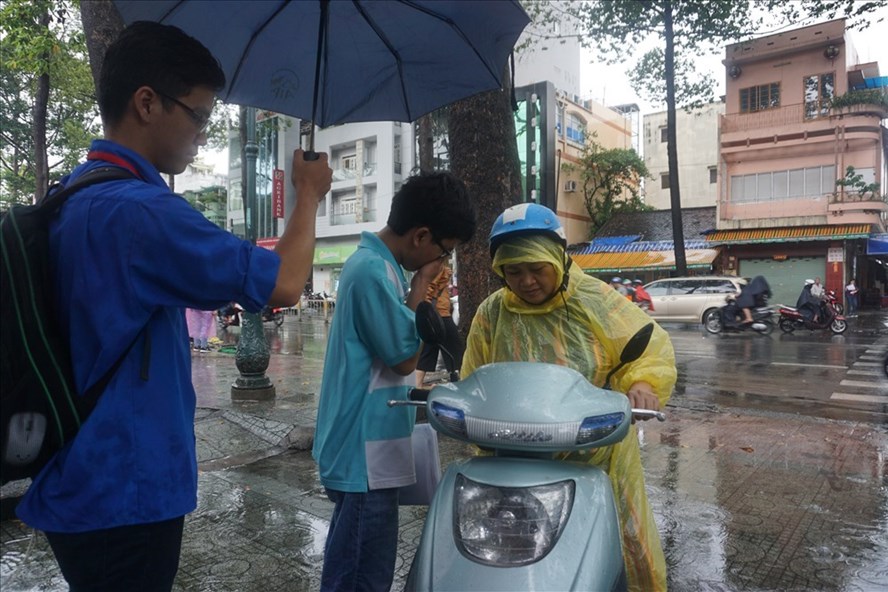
column 748, row 496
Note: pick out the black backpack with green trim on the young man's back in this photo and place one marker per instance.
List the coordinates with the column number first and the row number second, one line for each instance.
column 40, row 409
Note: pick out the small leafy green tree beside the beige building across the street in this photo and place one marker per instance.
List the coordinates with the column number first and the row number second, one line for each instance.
column 611, row 178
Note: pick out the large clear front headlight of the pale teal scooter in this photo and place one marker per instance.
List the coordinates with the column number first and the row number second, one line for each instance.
column 509, row 526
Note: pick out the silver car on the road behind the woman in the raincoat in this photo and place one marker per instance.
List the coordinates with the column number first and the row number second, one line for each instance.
column 689, row 299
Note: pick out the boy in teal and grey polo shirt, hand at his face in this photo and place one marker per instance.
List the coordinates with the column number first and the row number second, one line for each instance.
column 362, row 446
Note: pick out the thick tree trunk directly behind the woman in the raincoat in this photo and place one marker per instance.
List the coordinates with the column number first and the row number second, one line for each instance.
column 484, row 154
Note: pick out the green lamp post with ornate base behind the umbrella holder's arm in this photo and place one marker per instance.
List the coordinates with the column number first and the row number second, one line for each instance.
column 252, row 354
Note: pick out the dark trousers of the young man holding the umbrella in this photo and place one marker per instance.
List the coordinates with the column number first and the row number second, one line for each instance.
column 137, row 558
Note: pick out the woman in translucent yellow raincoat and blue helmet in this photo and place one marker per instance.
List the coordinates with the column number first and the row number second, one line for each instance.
column 551, row 312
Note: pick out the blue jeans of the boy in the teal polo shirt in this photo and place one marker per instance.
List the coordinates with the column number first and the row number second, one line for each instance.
column 362, row 542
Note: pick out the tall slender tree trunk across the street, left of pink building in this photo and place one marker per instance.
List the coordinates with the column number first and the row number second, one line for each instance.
column 681, row 266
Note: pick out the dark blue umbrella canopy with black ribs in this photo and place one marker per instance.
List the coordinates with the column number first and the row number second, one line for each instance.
column 370, row 60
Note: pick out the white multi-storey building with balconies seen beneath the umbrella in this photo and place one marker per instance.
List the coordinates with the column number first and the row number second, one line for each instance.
column 370, row 162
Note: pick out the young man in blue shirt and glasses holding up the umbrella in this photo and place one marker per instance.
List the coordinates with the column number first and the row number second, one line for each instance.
column 128, row 257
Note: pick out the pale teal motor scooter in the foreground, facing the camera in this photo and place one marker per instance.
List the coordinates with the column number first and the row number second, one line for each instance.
column 520, row 519
